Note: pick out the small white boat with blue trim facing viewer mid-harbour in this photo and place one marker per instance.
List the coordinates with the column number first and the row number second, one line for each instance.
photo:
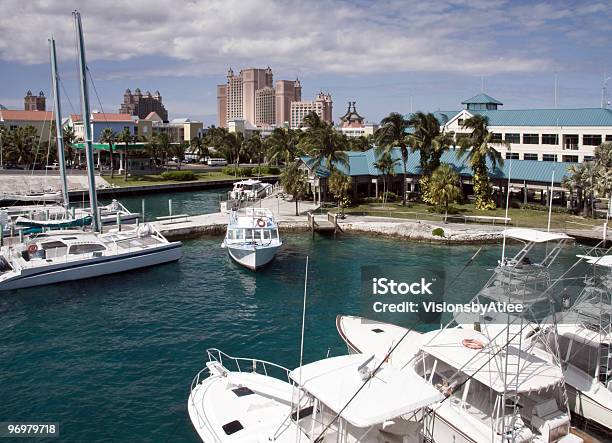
column 252, row 237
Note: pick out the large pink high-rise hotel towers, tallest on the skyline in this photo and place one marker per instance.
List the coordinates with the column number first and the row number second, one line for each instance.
column 251, row 96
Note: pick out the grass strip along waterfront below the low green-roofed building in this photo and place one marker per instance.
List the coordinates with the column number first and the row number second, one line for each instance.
column 519, row 217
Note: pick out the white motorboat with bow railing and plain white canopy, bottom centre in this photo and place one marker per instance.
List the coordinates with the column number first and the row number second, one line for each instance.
column 338, row 399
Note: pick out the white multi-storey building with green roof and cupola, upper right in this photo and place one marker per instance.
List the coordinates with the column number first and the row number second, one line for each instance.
column 568, row 135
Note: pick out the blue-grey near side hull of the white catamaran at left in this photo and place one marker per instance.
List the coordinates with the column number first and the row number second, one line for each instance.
column 93, row 268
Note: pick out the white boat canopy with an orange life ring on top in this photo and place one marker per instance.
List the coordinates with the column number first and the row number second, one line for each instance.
column 483, row 365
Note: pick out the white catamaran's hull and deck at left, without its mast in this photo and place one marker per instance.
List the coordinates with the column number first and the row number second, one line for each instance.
column 60, row 256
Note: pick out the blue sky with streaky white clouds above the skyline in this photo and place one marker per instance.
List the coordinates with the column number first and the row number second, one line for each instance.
column 386, row 55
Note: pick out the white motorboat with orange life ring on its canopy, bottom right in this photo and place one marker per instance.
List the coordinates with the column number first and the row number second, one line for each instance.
column 493, row 394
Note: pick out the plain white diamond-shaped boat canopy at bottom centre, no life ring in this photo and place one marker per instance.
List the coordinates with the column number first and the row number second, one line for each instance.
column 387, row 395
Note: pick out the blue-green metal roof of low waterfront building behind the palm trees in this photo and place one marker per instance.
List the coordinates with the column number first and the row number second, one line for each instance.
column 362, row 163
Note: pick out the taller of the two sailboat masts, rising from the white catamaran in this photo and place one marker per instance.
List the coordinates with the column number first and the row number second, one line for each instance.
column 93, row 200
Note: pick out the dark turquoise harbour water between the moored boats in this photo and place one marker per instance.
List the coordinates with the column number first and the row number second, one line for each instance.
column 112, row 359
